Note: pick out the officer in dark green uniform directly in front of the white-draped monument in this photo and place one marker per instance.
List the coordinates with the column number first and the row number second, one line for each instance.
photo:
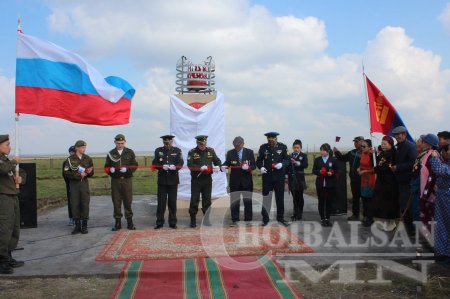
column 200, row 161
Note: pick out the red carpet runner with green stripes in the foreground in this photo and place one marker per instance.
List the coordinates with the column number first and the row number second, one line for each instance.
column 240, row 277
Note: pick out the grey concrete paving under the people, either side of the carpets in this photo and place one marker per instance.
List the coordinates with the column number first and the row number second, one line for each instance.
column 51, row 250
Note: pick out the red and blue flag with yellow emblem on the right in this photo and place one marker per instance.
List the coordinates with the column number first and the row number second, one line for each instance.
column 383, row 116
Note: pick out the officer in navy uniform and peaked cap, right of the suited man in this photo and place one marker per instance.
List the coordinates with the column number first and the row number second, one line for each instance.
column 269, row 155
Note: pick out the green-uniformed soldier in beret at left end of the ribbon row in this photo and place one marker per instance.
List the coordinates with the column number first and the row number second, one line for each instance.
column 80, row 167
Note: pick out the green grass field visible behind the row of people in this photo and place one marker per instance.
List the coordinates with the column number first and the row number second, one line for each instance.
column 50, row 184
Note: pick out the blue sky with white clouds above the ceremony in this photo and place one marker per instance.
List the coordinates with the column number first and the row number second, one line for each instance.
column 290, row 66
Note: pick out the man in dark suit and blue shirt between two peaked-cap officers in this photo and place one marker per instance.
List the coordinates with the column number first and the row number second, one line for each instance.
column 241, row 161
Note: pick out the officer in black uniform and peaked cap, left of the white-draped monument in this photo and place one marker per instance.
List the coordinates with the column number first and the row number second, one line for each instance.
column 168, row 159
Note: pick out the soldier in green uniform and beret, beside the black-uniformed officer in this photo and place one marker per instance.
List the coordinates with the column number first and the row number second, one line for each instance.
column 120, row 165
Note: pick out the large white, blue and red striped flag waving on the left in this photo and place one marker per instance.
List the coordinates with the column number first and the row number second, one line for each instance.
column 52, row 81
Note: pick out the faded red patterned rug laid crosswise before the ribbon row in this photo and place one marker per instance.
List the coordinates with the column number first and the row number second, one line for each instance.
column 128, row 245
